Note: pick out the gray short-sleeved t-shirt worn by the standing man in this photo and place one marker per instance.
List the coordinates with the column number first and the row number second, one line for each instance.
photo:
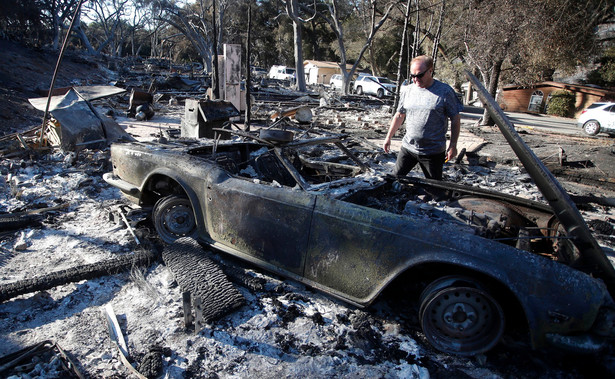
column 427, row 112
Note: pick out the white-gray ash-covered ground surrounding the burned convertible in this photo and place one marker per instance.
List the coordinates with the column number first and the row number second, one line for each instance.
column 284, row 329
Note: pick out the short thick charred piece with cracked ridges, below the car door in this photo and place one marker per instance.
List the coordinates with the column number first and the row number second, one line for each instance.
column 198, row 274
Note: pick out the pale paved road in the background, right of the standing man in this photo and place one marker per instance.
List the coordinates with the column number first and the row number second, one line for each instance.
column 532, row 121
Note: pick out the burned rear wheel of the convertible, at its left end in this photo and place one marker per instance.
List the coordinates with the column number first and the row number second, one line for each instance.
column 174, row 218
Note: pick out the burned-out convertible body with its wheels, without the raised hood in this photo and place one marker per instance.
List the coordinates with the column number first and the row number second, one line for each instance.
column 310, row 210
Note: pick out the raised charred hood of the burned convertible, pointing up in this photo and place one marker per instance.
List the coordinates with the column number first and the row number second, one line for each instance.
column 564, row 208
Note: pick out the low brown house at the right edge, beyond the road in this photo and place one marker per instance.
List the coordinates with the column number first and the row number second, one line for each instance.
column 536, row 98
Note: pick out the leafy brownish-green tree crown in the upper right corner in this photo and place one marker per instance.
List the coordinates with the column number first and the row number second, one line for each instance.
column 526, row 40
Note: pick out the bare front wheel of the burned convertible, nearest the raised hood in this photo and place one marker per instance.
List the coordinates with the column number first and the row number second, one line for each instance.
column 459, row 317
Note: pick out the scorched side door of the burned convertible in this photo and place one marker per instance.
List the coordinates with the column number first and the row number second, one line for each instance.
column 266, row 222
